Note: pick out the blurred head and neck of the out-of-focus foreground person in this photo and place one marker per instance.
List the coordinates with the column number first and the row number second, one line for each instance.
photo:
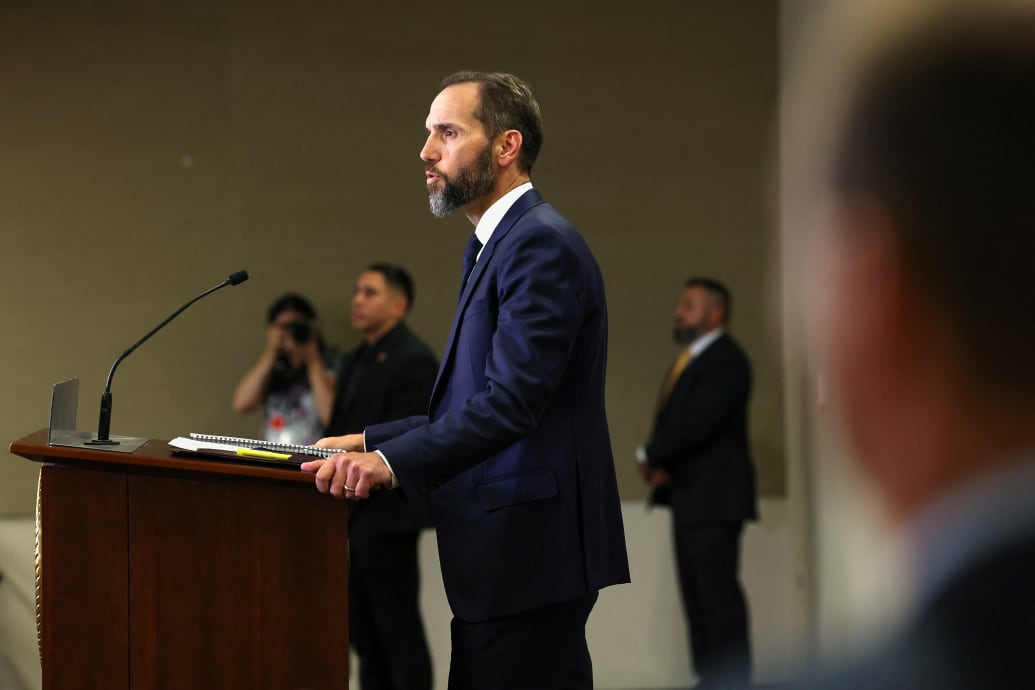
column 930, row 332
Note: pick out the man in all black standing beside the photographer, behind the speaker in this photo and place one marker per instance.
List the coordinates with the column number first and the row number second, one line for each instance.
column 389, row 377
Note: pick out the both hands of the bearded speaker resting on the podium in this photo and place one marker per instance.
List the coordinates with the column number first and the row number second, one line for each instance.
column 351, row 475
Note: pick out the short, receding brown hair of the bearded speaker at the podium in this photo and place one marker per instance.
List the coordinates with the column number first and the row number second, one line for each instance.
column 507, row 104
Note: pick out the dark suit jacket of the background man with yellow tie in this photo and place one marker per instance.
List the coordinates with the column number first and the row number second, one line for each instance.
column 701, row 439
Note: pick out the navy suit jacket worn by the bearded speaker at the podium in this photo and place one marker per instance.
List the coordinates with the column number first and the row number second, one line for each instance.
column 516, row 448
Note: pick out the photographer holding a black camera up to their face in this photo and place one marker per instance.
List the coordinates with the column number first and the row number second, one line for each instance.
column 294, row 378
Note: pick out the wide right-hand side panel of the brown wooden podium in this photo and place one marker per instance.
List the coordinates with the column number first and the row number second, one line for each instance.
column 249, row 572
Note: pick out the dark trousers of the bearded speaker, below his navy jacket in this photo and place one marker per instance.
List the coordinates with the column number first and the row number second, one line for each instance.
column 544, row 649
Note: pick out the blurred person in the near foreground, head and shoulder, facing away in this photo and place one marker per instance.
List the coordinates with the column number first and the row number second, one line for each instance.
column 929, row 335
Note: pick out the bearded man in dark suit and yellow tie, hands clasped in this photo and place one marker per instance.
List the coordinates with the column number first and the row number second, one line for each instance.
column 698, row 462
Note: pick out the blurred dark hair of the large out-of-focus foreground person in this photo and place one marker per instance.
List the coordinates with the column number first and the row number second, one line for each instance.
column 941, row 135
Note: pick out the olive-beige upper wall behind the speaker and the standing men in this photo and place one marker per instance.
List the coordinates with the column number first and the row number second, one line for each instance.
column 149, row 152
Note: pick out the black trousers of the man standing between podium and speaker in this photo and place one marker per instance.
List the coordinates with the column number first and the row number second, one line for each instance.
column 385, row 614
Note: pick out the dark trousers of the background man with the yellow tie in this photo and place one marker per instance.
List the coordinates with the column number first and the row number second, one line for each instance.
column 708, row 560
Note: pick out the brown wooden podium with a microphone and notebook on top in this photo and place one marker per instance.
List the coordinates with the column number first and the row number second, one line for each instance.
column 167, row 572
